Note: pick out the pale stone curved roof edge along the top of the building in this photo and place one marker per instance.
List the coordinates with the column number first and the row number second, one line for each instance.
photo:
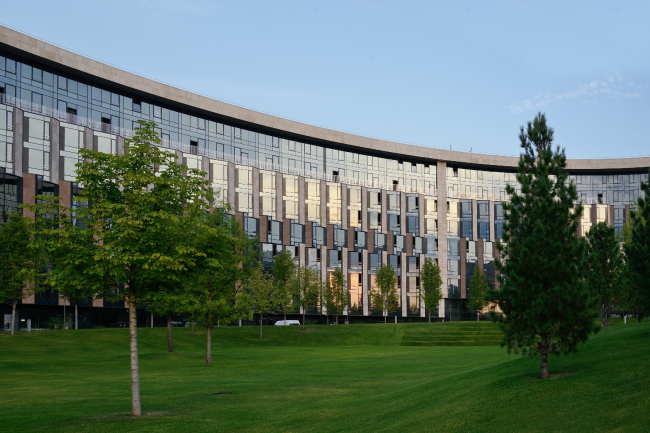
column 67, row 60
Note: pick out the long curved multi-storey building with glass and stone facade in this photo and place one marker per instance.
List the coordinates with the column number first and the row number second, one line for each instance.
column 333, row 199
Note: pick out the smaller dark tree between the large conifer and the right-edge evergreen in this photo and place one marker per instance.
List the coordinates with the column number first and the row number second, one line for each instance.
column 605, row 266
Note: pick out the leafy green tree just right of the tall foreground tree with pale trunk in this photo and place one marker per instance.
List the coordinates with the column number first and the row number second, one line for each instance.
column 228, row 256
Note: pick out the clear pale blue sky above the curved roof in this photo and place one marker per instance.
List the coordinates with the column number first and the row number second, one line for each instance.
column 465, row 74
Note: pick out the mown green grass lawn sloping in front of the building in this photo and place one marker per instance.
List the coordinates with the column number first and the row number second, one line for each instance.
column 331, row 378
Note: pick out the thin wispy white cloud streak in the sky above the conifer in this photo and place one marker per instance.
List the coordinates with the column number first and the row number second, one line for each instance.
column 613, row 87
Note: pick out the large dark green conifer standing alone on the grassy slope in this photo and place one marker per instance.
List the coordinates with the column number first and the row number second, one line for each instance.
column 545, row 302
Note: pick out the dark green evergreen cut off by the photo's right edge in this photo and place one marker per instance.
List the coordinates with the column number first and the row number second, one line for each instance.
column 638, row 253
